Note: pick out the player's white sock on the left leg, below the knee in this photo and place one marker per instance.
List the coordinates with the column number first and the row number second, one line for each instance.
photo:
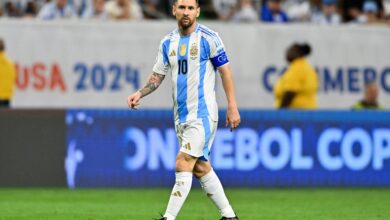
column 179, row 194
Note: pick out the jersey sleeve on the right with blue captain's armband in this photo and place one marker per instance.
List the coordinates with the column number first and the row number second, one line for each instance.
column 218, row 55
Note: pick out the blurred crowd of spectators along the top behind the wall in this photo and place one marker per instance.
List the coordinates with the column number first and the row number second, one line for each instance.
column 270, row 11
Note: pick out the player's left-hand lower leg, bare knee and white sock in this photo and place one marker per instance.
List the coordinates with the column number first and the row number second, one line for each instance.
column 184, row 165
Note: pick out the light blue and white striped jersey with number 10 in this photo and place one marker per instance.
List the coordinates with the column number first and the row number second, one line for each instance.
column 193, row 61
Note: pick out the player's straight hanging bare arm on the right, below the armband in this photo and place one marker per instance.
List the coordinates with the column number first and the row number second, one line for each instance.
column 232, row 115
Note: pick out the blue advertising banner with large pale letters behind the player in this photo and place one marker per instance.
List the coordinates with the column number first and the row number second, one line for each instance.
column 123, row 148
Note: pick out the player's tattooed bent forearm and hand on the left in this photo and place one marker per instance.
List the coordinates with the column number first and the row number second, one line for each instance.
column 152, row 84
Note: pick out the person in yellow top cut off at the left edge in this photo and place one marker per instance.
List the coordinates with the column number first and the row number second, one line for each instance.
column 7, row 77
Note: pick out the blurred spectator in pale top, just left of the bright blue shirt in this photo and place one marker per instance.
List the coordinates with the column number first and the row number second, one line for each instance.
column 245, row 12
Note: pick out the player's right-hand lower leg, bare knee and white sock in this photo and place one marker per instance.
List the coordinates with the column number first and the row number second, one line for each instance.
column 213, row 187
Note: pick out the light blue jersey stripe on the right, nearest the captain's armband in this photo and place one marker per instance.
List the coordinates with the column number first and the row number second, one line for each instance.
column 204, row 52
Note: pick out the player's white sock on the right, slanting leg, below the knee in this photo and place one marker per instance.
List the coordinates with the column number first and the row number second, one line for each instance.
column 214, row 190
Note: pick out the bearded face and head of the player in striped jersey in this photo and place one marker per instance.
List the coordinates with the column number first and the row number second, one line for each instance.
column 186, row 12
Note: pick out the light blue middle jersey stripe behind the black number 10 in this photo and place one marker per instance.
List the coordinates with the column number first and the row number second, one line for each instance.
column 182, row 79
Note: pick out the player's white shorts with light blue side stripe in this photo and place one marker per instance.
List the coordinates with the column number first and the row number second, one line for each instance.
column 196, row 137
